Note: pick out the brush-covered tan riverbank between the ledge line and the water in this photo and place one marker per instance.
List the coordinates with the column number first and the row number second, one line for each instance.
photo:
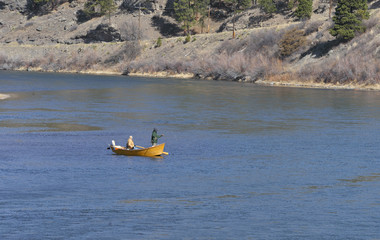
column 254, row 56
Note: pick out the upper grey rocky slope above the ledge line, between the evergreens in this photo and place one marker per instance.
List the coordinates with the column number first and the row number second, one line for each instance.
column 64, row 24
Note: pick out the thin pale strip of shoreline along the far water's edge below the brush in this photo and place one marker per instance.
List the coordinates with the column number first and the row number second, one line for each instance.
column 266, row 82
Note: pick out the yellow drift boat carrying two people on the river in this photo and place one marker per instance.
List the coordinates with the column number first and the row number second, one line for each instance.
column 157, row 150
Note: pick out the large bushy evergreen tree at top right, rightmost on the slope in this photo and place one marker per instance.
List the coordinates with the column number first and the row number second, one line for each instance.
column 348, row 19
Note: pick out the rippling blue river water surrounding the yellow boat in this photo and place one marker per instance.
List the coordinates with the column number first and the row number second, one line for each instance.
column 245, row 162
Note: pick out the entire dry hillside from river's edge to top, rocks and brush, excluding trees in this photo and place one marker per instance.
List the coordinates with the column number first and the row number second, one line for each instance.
column 56, row 41
